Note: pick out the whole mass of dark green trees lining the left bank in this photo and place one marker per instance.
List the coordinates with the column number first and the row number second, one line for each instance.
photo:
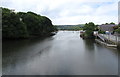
column 22, row 25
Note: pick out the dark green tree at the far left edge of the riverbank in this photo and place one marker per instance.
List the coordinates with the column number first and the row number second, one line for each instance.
column 12, row 27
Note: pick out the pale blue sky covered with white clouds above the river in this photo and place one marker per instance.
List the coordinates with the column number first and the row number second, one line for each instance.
column 69, row 12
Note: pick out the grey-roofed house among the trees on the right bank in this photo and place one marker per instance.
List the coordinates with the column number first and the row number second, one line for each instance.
column 107, row 27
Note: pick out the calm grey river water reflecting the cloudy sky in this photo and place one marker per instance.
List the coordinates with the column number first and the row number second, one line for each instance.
column 63, row 54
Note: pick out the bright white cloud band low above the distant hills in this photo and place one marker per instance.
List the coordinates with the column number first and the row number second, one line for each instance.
column 85, row 19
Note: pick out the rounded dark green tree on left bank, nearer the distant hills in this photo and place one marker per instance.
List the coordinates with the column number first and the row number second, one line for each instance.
column 36, row 24
